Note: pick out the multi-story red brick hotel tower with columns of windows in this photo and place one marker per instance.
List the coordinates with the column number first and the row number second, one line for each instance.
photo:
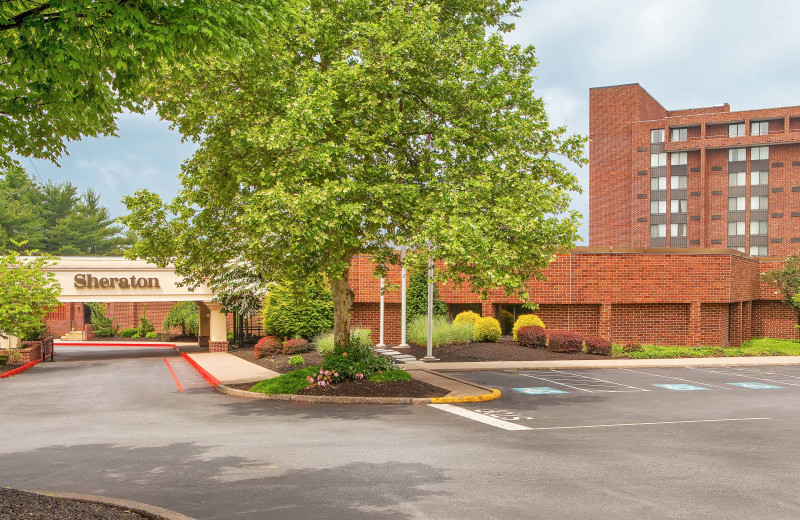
column 702, row 177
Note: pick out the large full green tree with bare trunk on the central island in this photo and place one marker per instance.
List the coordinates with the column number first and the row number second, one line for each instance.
column 360, row 126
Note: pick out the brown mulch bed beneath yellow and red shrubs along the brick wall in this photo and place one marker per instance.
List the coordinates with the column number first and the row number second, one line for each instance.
column 503, row 350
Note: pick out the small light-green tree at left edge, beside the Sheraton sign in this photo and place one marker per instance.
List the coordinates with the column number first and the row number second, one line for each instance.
column 27, row 293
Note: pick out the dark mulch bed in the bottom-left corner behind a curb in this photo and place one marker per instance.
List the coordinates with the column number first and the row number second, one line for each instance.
column 20, row 504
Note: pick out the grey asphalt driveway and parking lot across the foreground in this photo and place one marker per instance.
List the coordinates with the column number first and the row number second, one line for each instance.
column 614, row 445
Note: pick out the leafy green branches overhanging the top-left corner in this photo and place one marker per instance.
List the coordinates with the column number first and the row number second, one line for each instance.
column 67, row 67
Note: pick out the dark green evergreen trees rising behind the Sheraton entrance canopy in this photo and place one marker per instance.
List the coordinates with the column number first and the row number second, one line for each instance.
column 54, row 219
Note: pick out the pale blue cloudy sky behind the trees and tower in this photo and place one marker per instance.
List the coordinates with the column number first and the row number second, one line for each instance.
column 685, row 53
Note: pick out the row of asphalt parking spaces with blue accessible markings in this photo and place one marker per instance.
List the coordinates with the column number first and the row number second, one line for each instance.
column 654, row 397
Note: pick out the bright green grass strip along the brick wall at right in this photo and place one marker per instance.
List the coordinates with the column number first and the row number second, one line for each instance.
column 754, row 347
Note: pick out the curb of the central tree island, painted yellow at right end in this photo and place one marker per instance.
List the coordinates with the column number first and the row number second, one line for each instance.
column 493, row 394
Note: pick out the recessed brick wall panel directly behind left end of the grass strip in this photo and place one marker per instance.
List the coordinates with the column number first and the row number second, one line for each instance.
column 663, row 324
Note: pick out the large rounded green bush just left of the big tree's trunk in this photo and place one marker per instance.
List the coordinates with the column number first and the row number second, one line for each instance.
column 298, row 312
